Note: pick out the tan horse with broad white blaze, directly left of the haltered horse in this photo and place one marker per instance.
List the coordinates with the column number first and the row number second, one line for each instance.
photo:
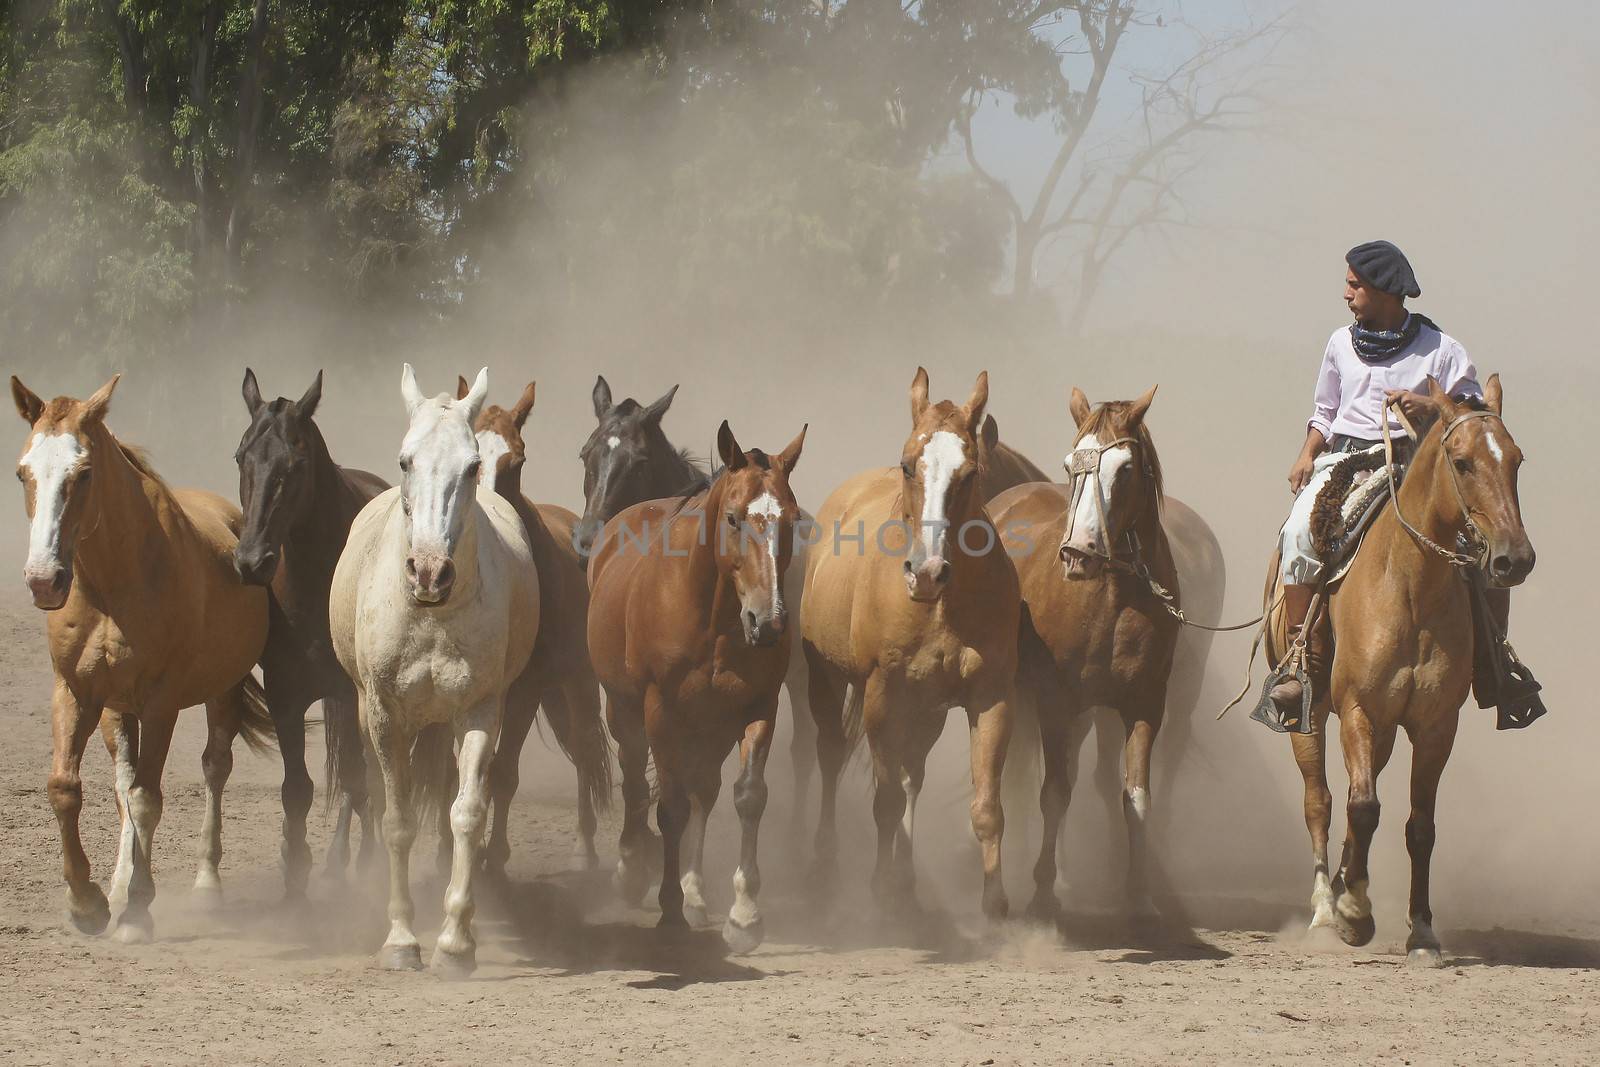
column 919, row 618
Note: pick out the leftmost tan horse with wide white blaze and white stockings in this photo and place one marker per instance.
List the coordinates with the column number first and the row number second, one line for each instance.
column 146, row 618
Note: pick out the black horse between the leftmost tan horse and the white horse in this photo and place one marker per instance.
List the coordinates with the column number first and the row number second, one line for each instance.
column 298, row 511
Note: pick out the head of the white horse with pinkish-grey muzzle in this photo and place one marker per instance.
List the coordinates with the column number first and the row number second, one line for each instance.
column 439, row 476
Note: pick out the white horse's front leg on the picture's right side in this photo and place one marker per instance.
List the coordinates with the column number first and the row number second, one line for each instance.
column 455, row 953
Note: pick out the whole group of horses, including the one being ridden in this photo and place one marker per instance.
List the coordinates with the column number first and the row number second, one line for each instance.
column 434, row 618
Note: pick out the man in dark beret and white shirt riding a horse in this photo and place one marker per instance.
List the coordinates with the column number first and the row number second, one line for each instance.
column 1388, row 354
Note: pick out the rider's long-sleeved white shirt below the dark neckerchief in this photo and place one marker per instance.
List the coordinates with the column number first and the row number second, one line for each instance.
column 1351, row 391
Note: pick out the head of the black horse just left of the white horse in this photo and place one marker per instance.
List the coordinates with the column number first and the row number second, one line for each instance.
column 278, row 476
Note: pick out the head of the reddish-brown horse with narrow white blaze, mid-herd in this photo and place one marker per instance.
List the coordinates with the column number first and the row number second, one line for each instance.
column 756, row 516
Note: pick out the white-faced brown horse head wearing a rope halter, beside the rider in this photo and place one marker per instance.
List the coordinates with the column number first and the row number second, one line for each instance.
column 1114, row 476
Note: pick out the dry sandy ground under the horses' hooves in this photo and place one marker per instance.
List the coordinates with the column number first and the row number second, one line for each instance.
column 569, row 975
